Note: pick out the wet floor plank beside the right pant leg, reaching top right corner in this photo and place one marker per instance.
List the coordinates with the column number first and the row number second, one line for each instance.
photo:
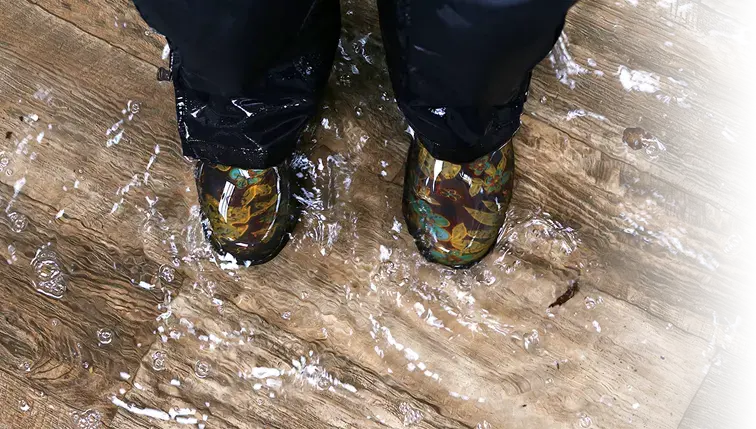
column 697, row 98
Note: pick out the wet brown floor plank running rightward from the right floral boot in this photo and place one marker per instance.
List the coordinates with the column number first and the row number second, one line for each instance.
column 644, row 241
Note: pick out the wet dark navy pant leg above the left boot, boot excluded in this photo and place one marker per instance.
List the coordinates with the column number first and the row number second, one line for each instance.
column 248, row 74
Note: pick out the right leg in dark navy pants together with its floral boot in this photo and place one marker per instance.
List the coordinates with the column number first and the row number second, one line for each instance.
column 461, row 71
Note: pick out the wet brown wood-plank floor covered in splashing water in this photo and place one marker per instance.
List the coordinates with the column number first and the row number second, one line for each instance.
column 348, row 328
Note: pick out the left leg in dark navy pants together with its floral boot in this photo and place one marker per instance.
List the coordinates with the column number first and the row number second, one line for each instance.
column 248, row 75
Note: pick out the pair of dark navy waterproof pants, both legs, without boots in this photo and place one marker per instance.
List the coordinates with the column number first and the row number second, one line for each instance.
column 249, row 74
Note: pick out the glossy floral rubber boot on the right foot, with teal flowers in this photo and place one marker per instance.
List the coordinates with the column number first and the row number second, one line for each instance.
column 455, row 211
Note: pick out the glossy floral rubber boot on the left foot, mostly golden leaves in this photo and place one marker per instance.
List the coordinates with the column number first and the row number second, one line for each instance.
column 248, row 213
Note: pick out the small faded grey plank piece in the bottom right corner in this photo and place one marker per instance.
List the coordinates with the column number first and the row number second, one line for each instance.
column 723, row 401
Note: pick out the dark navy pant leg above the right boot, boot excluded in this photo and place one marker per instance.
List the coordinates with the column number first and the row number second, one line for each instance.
column 461, row 68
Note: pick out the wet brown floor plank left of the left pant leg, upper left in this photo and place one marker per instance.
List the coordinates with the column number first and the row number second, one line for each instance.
column 85, row 107
